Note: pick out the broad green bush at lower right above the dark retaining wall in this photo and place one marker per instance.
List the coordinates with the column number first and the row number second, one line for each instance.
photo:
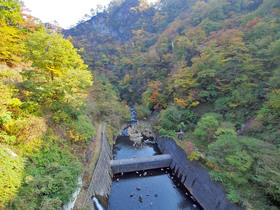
column 241, row 160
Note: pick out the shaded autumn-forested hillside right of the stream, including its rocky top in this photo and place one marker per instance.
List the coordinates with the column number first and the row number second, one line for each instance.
column 210, row 68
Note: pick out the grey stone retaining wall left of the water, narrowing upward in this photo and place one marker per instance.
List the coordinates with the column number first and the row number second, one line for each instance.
column 101, row 182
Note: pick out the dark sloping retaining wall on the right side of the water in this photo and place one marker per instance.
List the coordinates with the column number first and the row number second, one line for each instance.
column 210, row 194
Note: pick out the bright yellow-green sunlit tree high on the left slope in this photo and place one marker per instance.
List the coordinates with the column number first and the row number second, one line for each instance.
column 58, row 70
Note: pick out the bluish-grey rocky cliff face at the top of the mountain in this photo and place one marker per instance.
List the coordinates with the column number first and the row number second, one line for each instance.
column 118, row 22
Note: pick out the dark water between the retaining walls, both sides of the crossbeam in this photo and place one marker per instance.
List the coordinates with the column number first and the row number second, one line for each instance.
column 154, row 189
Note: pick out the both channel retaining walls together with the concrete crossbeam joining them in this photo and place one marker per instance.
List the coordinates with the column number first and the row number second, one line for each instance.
column 209, row 194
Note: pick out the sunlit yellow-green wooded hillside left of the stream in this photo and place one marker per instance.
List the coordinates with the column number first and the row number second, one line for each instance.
column 49, row 103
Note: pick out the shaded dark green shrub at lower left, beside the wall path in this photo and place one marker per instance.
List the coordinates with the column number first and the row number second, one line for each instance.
column 51, row 177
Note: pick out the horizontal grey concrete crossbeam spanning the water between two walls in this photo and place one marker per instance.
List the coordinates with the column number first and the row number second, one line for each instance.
column 139, row 164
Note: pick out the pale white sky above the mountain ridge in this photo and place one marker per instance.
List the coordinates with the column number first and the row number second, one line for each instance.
column 66, row 12
